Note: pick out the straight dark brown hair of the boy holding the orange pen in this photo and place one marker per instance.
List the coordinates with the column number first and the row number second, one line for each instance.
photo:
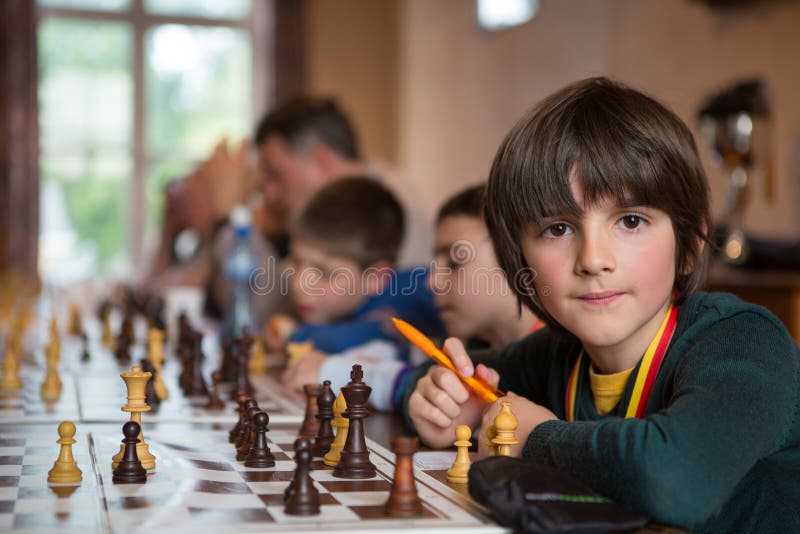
column 620, row 144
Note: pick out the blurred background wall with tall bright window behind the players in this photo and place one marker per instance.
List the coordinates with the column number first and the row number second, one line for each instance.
column 431, row 94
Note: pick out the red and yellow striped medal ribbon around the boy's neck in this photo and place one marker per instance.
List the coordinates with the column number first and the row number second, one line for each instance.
column 645, row 376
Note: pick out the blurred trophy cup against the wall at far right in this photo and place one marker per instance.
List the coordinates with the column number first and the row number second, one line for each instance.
column 735, row 124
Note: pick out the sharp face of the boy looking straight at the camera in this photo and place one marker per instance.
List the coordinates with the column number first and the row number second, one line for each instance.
column 607, row 276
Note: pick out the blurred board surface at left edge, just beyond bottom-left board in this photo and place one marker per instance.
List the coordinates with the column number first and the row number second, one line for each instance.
column 26, row 404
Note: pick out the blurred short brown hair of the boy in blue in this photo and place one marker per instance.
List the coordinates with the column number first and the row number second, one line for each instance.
column 355, row 218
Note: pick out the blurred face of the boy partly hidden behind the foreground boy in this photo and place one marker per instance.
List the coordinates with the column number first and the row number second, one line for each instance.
column 469, row 288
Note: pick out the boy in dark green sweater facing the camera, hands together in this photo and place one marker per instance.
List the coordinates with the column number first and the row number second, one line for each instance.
column 680, row 404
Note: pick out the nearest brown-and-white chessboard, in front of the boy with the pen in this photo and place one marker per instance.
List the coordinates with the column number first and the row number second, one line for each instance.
column 198, row 482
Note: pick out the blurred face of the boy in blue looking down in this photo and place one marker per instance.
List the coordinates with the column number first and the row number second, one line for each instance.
column 324, row 288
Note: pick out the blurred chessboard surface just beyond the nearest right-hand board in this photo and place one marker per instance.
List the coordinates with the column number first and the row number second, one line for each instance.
column 102, row 396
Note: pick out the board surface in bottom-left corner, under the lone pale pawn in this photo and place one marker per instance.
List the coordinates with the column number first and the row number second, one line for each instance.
column 27, row 502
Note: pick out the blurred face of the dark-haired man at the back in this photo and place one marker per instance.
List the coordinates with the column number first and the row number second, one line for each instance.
column 290, row 179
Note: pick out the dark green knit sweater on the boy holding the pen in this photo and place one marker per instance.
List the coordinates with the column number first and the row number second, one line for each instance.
column 719, row 447
